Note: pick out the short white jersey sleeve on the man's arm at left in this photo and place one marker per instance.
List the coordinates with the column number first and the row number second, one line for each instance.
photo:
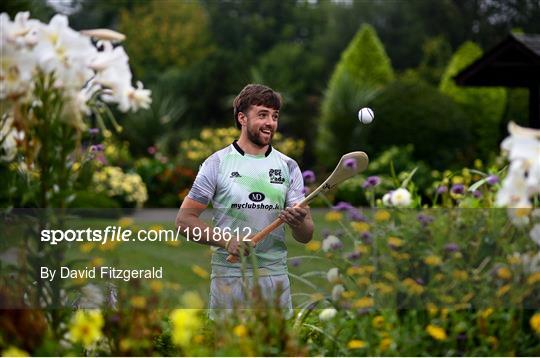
column 205, row 183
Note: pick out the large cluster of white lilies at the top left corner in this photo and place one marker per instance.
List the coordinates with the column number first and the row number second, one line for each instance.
column 80, row 69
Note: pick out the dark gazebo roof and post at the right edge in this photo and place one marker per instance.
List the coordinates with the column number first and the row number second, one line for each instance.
column 514, row 62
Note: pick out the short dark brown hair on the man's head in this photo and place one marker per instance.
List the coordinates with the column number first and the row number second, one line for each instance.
column 255, row 95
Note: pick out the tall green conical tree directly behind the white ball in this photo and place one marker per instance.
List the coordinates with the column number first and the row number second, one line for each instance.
column 364, row 69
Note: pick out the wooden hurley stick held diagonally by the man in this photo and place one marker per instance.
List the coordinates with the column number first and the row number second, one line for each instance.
column 349, row 165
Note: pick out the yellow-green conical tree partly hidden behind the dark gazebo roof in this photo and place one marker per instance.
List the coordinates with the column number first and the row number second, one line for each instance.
column 483, row 106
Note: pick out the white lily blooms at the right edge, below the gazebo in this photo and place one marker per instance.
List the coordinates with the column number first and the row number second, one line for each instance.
column 523, row 180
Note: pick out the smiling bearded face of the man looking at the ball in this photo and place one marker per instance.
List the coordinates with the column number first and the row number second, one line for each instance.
column 261, row 124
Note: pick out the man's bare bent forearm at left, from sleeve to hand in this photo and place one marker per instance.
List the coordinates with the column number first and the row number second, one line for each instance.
column 188, row 218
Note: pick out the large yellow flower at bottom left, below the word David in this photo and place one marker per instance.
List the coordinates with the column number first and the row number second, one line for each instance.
column 86, row 327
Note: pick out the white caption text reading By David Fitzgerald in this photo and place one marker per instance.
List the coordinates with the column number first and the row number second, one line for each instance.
column 103, row 272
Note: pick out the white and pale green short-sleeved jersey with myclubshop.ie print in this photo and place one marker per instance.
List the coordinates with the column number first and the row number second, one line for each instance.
column 247, row 193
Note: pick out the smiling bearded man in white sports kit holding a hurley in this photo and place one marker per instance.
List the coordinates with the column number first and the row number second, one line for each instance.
column 249, row 184
